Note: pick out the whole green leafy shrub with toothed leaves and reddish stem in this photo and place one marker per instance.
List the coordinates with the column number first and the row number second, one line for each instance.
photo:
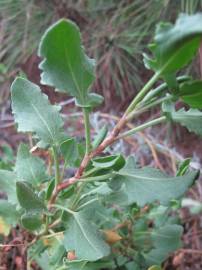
column 111, row 214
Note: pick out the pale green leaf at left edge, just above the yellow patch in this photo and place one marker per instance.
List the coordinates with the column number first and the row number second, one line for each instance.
column 5, row 208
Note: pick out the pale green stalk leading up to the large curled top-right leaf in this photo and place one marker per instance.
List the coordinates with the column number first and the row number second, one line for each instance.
column 142, row 93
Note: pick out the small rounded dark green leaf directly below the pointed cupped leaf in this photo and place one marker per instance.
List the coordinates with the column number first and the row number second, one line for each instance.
column 31, row 220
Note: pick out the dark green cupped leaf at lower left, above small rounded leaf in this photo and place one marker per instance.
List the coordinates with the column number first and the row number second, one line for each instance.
column 27, row 198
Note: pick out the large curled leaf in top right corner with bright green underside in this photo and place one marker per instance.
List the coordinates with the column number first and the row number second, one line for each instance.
column 175, row 45
